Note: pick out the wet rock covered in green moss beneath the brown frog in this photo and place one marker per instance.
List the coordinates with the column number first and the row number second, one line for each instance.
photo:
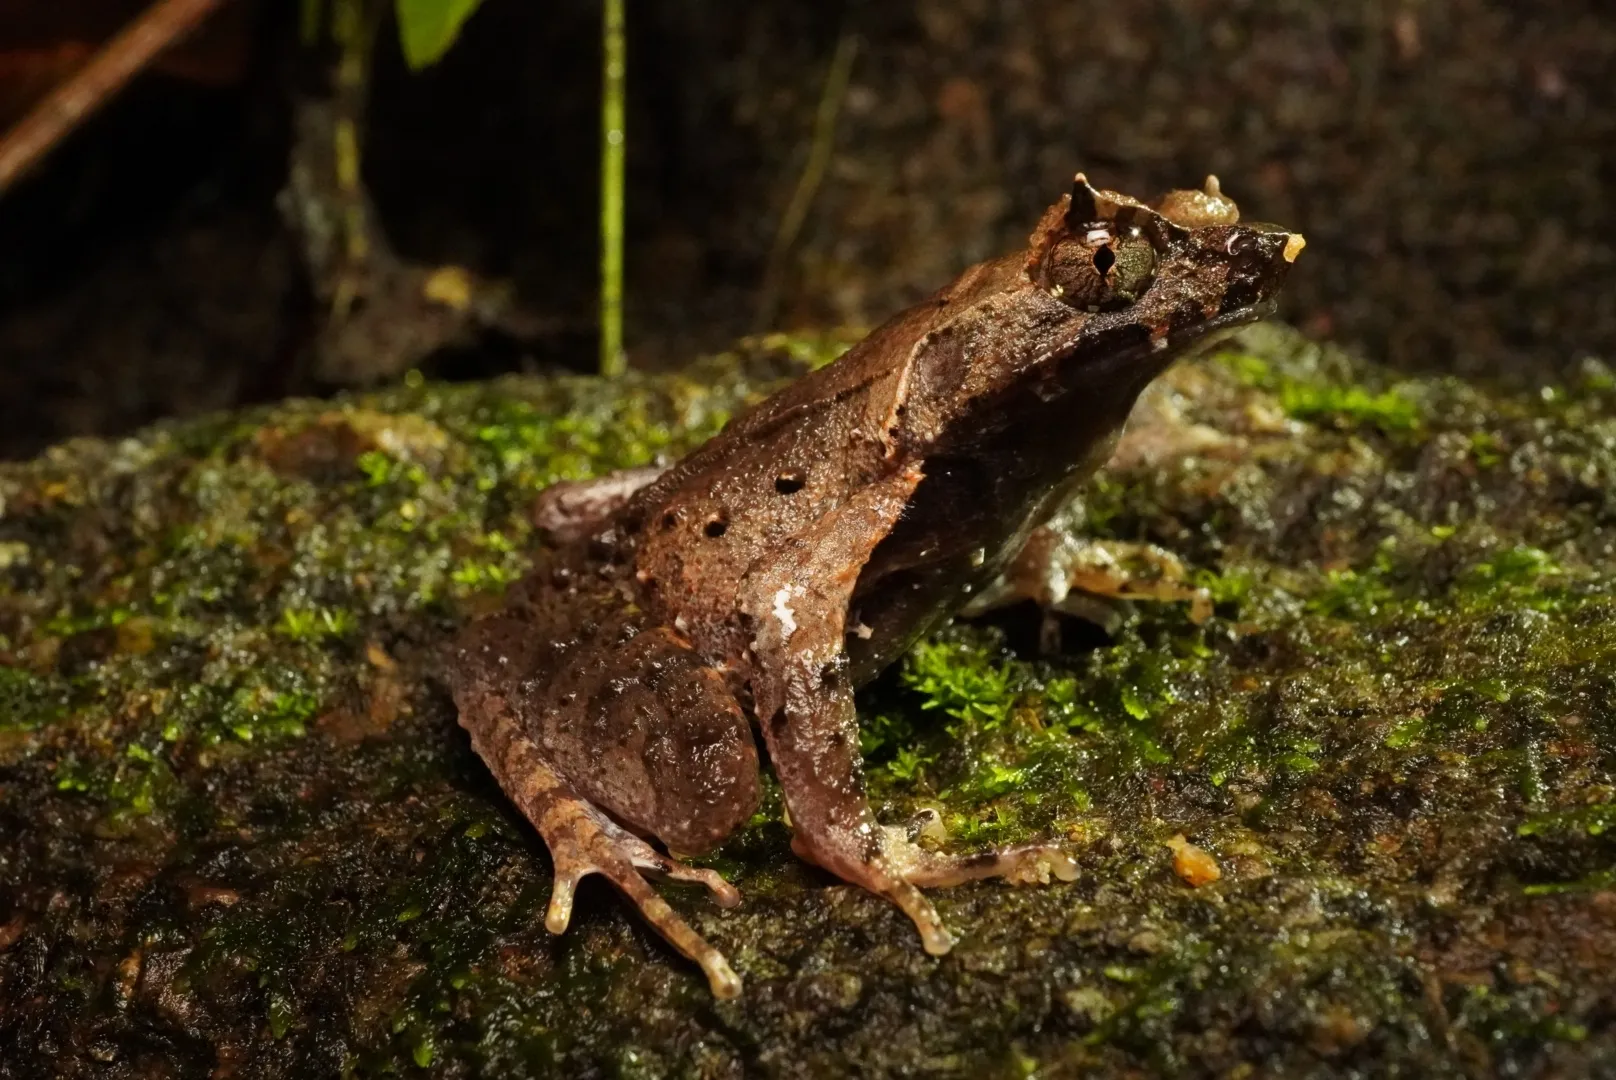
column 243, row 837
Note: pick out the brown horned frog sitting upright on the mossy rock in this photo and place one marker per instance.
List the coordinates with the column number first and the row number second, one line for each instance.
column 676, row 618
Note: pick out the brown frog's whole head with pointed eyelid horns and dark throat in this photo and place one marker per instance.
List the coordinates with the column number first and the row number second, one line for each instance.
column 1108, row 295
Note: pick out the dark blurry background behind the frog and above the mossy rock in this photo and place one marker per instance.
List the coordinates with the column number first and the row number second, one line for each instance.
column 1449, row 162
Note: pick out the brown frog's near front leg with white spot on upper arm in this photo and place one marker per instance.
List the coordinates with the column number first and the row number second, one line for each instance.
column 806, row 709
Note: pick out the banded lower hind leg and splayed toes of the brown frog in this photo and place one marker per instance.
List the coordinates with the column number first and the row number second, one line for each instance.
column 586, row 842
